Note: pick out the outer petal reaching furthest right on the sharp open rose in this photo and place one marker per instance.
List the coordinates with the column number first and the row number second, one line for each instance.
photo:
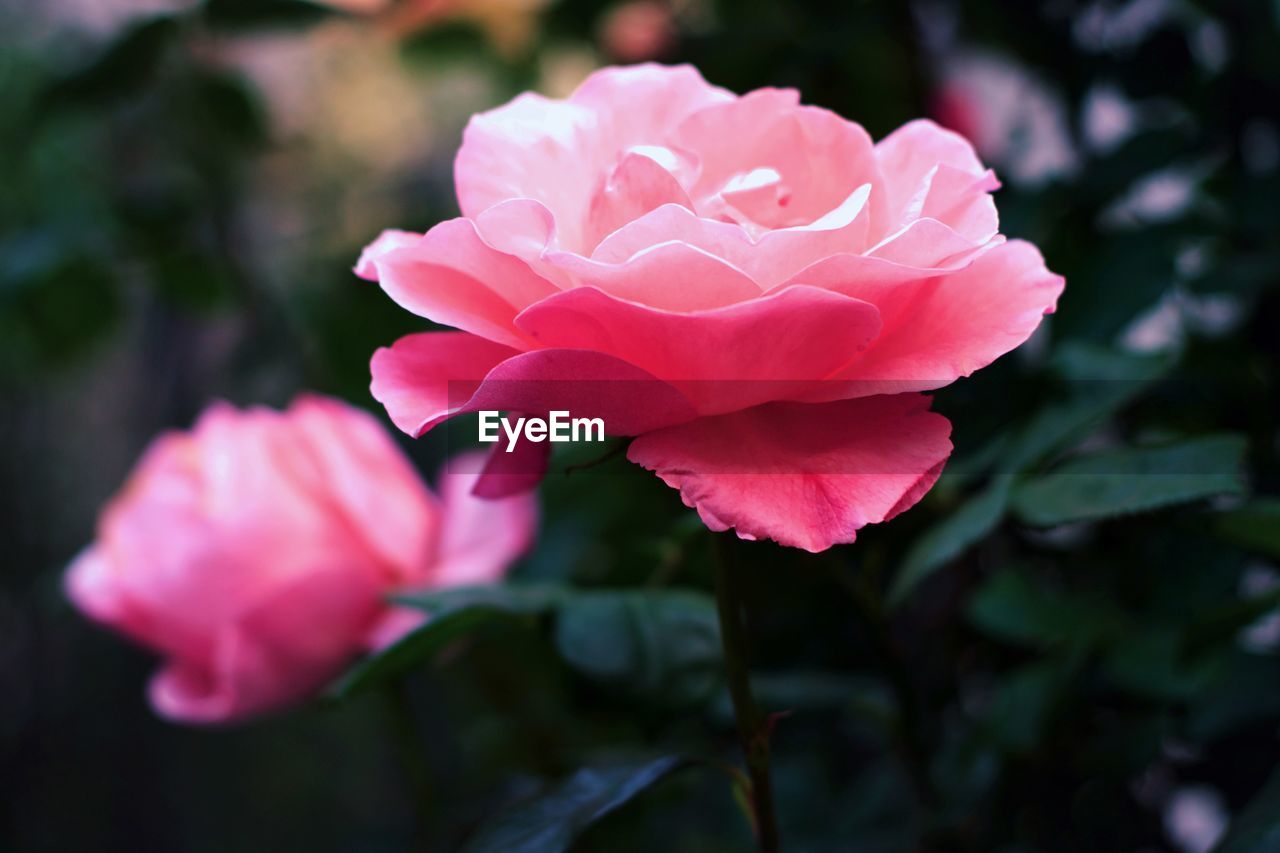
column 945, row 329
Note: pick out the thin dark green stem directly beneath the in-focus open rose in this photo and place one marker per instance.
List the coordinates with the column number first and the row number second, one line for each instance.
column 753, row 727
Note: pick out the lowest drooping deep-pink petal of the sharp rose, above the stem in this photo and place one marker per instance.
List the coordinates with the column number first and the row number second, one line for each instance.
column 804, row 476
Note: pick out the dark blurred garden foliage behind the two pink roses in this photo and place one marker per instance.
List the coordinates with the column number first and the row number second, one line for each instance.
column 1027, row 662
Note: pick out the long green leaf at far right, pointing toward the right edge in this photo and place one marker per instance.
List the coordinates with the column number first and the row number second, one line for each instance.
column 1133, row 481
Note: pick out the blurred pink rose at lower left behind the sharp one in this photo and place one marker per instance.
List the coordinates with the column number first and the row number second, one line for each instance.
column 255, row 553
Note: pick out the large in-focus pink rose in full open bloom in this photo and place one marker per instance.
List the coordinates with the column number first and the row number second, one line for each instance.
column 751, row 288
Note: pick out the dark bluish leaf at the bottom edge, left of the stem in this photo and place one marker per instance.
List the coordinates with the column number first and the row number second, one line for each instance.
column 552, row 822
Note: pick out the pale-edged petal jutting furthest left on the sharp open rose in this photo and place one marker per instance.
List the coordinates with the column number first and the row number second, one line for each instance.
column 452, row 277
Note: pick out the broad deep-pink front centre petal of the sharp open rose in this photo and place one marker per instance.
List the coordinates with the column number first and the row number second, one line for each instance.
column 724, row 359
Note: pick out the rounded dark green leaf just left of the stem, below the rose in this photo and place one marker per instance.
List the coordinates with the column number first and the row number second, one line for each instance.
column 661, row 645
